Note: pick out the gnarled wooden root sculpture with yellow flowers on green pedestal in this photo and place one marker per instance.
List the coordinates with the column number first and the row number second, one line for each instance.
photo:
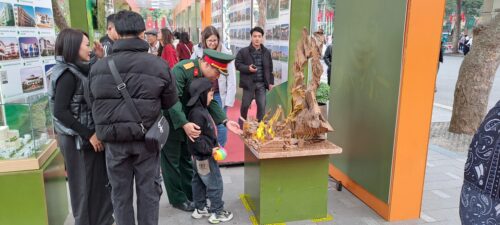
column 305, row 124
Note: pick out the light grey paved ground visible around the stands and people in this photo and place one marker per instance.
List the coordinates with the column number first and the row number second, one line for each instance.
column 443, row 179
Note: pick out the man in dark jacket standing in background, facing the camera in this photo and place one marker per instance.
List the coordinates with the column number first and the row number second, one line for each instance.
column 256, row 66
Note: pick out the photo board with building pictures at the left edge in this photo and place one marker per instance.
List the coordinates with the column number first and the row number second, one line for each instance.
column 27, row 48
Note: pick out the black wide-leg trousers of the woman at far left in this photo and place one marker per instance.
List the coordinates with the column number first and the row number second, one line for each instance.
column 87, row 181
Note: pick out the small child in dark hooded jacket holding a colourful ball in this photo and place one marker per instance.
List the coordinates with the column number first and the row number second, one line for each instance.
column 207, row 180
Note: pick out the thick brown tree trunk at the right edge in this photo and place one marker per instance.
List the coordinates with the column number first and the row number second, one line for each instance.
column 475, row 79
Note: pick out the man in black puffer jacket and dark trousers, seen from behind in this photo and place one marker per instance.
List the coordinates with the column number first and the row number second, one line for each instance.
column 152, row 88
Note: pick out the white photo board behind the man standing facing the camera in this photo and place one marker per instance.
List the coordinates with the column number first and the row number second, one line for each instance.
column 239, row 16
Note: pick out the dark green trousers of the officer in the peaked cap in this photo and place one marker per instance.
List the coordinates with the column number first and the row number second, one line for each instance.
column 177, row 171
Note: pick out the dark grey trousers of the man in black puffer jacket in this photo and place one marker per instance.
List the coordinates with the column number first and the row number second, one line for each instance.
column 129, row 161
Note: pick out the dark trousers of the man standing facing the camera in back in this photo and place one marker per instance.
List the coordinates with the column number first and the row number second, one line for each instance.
column 259, row 94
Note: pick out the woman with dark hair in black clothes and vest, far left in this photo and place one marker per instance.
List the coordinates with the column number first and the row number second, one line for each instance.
column 82, row 151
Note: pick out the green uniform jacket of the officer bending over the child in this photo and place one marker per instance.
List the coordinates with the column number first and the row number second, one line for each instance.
column 184, row 73
